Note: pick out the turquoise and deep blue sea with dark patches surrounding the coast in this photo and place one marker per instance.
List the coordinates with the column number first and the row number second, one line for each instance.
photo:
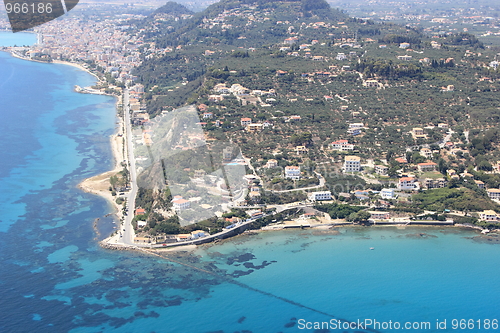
column 55, row 278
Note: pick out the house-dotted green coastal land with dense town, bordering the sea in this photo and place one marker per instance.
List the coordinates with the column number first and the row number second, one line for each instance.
column 316, row 132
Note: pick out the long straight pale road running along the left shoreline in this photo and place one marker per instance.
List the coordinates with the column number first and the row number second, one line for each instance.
column 127, row 230
